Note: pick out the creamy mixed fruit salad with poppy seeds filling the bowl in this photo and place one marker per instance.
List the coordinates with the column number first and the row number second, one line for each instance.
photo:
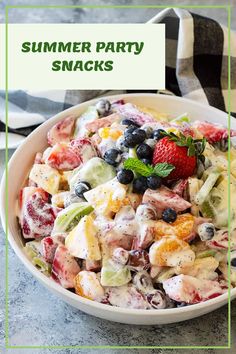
column 128, row 207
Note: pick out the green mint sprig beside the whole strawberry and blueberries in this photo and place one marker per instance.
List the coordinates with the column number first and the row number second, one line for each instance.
column 139, row 167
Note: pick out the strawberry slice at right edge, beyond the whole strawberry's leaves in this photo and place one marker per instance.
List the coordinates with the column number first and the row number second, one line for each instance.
column 212, row 132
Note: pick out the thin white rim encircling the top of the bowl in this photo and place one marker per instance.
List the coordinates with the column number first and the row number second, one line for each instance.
column 48, row 282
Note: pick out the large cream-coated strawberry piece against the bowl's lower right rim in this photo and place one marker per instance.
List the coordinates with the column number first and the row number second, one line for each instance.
column 185, row 288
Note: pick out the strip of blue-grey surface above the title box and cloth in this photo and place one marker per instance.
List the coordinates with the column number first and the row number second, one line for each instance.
column 106, row 15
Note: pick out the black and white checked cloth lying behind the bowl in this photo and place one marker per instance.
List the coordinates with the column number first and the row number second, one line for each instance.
column 196, row 68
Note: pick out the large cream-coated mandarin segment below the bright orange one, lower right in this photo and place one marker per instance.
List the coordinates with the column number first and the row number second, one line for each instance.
column 170, row 250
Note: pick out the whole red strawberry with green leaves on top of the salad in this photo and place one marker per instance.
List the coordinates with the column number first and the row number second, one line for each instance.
column 179, row 151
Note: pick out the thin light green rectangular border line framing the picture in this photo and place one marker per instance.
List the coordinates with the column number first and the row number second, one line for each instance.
column 7, row 7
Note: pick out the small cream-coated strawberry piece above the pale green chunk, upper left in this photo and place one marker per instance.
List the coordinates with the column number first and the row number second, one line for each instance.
column 84, row 148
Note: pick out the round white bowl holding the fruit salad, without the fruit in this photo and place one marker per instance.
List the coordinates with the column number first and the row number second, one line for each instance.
column 18, row 170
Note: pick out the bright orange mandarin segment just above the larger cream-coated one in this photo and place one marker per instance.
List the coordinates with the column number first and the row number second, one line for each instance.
column 181, row 228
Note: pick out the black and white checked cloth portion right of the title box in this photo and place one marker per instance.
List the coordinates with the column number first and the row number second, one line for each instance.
column 197, row 58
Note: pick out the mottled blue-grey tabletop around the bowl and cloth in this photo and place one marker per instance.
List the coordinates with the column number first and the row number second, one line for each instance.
column 37, row 317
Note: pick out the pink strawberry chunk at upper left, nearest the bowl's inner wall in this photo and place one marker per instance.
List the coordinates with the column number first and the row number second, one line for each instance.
column 62, row 132
